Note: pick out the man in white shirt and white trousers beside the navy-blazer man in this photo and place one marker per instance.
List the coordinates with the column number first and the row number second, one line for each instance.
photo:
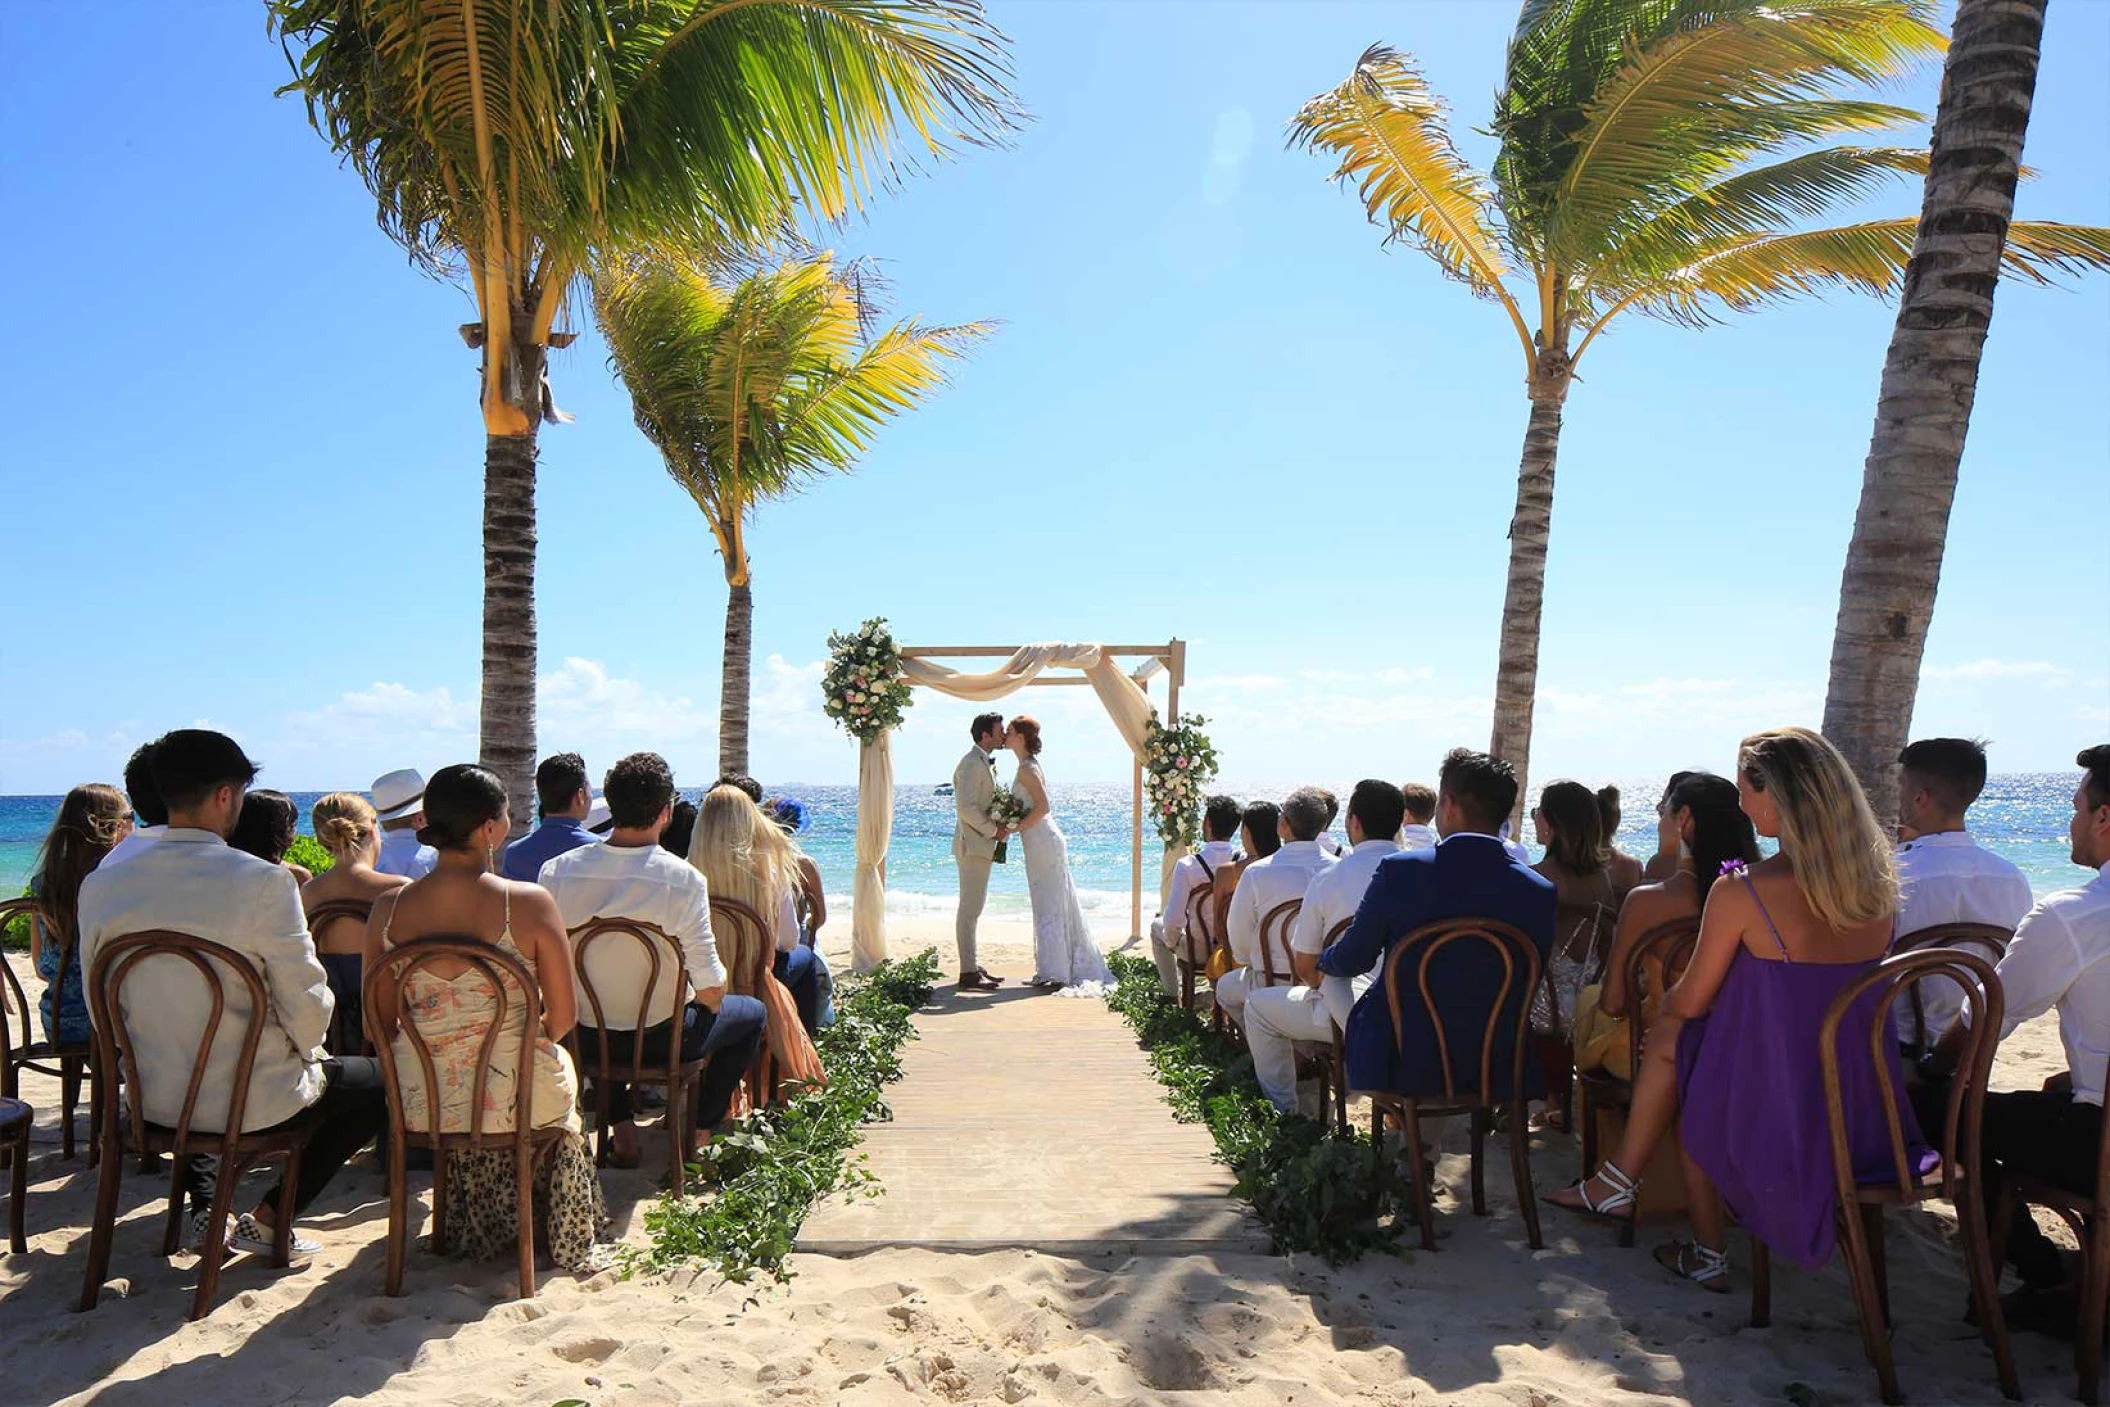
column 1313, row 1009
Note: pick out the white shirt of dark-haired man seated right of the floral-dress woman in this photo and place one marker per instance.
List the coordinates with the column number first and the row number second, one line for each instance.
column 651, row 887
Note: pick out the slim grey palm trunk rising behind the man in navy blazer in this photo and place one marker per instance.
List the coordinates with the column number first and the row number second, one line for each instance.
column 1531, row 528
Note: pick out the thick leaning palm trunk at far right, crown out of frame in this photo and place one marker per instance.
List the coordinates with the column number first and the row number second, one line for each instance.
column 1930, row 381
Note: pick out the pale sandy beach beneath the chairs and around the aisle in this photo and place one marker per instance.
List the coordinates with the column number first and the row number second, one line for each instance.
column 1480, row 1322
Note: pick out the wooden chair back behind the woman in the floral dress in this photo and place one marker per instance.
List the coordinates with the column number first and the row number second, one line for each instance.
column 510, row 984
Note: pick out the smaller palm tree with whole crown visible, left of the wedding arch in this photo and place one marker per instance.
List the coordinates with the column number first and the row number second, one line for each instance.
column 752, row 389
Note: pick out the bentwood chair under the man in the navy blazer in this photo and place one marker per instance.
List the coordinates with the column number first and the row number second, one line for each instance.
column 1505, row 1024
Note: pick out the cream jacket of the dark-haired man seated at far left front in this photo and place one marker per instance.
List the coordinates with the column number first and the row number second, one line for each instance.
column 195, row 883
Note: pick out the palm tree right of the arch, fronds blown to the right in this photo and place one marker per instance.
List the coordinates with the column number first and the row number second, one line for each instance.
column 1653, row 159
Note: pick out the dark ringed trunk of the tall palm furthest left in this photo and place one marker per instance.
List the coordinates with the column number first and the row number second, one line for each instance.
column 510, row 642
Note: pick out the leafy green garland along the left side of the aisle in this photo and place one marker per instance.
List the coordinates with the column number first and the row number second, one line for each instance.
column 773, row 1165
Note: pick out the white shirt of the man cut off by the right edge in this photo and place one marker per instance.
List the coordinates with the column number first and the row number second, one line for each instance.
column 2063, row 959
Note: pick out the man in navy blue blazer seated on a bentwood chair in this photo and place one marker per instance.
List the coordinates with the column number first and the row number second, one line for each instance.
column 1468, row 874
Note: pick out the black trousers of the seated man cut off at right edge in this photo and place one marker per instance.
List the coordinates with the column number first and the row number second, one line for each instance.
column 2039, row 1134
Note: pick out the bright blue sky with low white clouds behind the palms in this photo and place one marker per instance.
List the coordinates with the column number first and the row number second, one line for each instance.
column 244, row 455
